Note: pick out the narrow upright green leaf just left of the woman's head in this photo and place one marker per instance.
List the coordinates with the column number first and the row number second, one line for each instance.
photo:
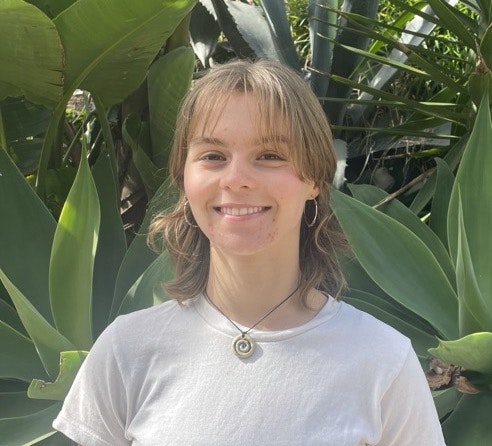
column 168, row 81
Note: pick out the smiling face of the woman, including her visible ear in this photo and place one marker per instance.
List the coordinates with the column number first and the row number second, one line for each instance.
column 242, row 185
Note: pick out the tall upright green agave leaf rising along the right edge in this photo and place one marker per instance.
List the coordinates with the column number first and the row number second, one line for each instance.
column 474, row 185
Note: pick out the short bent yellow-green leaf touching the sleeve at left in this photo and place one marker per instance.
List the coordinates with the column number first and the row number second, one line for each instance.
column 70, row 363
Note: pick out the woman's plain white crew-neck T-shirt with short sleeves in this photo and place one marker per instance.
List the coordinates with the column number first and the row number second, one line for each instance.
column 167, row 375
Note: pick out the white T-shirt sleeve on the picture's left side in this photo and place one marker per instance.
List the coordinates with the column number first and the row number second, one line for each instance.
column 94, row 411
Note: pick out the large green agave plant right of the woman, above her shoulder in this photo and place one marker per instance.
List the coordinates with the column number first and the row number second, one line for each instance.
column 432, row 279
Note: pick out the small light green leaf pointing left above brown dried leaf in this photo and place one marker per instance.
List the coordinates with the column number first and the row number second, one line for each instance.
column 473, row 352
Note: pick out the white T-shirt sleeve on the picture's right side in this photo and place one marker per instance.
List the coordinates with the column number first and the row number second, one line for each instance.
column 408, row 413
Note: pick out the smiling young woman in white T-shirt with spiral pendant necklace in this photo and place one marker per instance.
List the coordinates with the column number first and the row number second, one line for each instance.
column 254, row 348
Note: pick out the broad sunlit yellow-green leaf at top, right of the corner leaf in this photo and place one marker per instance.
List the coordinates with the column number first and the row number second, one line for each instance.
column 109, row 45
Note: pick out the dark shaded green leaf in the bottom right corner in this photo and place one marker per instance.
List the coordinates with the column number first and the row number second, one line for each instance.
column 469, row 424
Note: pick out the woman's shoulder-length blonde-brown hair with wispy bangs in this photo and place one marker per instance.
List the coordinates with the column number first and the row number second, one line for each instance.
column 281, row 94
